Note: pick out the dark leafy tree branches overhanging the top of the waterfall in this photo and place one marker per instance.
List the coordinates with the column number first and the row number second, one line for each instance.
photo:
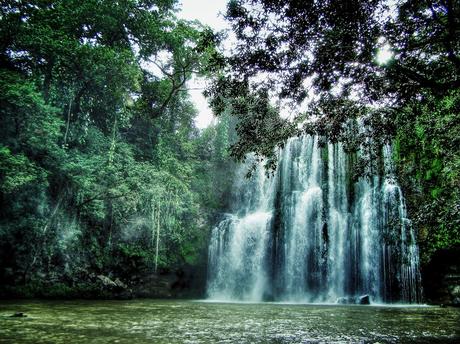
column 317, row 59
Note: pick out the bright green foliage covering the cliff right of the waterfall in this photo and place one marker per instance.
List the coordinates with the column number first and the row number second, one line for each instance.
column 428, row 158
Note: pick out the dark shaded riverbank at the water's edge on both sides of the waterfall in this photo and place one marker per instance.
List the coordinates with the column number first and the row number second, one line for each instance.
column 440, row 279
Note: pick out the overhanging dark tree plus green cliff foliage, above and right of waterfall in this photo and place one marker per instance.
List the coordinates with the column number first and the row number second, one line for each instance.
column 313, row 67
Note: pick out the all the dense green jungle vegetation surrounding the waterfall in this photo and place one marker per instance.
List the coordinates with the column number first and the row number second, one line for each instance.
column 103, row 172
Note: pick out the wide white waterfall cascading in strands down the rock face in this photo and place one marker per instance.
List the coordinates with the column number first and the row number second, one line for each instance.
column 310, row 234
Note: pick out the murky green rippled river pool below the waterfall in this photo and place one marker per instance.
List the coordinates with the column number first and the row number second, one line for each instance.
column 158, row 321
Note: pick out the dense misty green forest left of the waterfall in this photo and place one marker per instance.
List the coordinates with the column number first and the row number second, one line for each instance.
column 101, row 170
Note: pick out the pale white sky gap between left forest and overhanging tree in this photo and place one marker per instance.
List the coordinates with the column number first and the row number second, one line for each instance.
column 207, row 12
